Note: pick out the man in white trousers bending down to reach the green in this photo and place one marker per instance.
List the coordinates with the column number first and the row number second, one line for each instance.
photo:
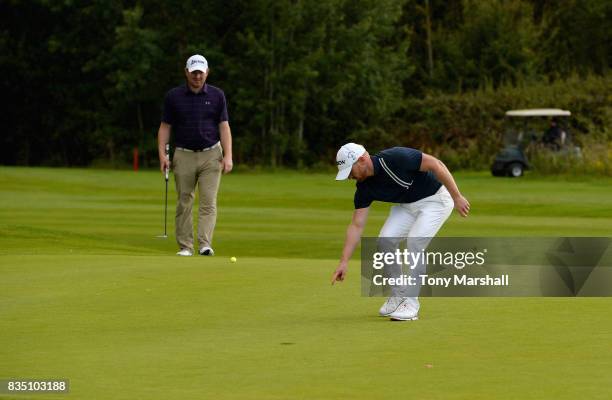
column 424, row 192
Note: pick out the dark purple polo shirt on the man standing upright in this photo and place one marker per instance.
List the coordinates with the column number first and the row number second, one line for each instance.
column 195, row 117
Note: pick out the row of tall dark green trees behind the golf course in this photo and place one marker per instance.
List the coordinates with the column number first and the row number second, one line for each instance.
column 84, row 80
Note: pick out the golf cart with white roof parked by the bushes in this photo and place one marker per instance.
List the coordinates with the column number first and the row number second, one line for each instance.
column 522, row 127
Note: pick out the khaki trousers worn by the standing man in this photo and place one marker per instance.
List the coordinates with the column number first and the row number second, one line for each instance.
column 204, row 169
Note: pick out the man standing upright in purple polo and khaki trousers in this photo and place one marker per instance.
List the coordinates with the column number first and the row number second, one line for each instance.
column 197, row 114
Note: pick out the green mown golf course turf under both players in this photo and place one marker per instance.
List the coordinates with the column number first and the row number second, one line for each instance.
column 88, row 293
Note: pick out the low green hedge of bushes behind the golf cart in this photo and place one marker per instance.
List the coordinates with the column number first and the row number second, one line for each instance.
column 466, row 130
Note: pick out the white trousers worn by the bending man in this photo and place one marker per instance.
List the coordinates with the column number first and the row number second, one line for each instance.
column 417, row 223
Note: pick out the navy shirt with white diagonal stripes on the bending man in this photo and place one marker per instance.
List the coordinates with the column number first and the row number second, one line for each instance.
column 396, row 179
